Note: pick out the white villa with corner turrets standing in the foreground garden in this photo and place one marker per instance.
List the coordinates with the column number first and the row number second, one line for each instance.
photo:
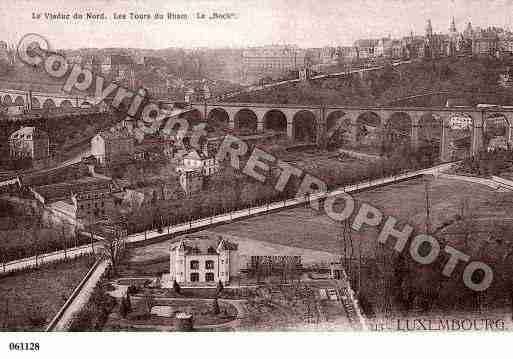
column 203, row 260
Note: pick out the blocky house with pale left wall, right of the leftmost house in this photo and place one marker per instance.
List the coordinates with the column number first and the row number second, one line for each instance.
column 112, row 147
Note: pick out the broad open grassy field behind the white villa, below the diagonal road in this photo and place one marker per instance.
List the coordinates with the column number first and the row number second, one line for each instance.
column 306, row 228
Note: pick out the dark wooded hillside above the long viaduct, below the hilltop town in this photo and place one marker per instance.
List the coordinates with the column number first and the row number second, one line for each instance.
column 476, row 80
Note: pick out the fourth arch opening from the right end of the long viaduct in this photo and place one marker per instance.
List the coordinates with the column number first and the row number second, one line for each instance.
column 397, row 131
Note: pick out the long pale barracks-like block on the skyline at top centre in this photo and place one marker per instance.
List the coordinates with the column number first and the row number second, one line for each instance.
column 272, row 60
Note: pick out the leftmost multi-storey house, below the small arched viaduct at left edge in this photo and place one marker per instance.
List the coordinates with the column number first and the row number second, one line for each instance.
column 29, row 142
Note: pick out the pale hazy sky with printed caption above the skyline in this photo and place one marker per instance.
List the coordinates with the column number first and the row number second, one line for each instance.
column 306, row 23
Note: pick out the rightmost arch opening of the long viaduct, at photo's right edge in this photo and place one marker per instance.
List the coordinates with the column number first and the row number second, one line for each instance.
column 496, row 131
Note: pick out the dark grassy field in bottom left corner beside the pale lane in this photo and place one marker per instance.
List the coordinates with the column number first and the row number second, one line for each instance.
column 29, row 300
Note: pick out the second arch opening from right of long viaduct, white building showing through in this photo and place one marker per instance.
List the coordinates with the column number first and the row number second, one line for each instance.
column 459, row 136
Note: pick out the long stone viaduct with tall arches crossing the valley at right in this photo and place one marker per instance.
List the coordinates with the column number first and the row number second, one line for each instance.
column 325, row 118
